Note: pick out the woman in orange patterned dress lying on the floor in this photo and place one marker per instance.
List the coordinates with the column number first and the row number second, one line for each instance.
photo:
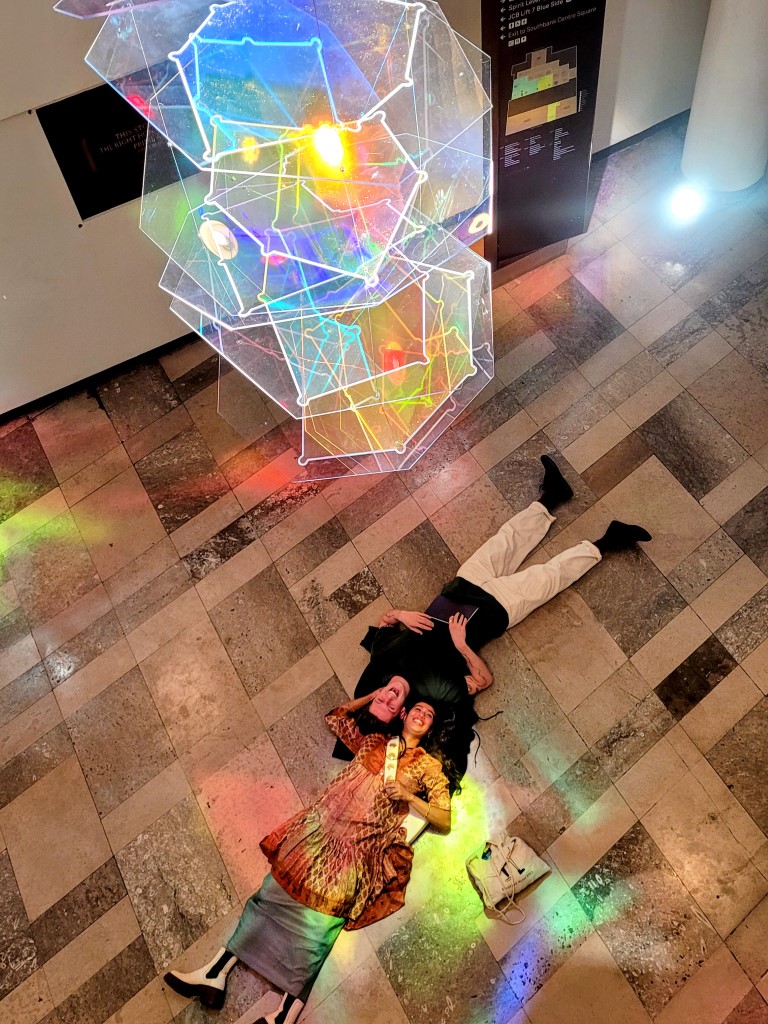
column 343, row 863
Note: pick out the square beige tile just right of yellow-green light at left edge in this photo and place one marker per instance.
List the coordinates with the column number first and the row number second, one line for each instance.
column 118, row 523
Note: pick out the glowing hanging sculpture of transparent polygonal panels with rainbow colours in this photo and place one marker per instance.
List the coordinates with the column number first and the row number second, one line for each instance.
column 329, row 165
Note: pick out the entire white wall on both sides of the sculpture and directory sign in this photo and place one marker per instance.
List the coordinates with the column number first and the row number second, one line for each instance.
column 76, row 301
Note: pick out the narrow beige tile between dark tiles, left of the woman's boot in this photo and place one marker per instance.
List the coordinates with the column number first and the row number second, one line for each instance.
column 92, row 951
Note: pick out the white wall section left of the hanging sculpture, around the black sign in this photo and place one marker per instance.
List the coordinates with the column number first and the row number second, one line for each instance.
column 74, row 301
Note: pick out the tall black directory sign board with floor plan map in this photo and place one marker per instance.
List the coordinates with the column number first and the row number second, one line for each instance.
column 545, row 65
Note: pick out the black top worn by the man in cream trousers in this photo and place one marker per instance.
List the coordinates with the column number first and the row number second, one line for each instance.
column 430, row 662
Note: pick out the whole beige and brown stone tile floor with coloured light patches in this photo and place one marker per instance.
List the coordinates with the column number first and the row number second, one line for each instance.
column 176, row 616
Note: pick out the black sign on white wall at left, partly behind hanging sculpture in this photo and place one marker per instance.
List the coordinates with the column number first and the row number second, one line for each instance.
column 100, row 143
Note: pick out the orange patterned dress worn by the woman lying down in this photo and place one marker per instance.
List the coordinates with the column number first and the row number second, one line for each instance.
column 347, row 855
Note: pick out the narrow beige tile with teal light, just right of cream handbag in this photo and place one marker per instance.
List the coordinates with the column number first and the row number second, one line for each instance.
column 592, row 835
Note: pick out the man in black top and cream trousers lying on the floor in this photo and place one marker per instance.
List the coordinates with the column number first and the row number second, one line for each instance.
column 412, row 654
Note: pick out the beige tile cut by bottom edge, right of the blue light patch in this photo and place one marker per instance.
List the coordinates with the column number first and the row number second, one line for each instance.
column 589, row 989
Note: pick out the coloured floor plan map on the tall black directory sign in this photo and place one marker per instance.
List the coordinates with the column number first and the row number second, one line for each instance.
column 544, row 90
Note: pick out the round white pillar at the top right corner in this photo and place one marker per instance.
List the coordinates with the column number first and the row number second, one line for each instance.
column 727, row 148
